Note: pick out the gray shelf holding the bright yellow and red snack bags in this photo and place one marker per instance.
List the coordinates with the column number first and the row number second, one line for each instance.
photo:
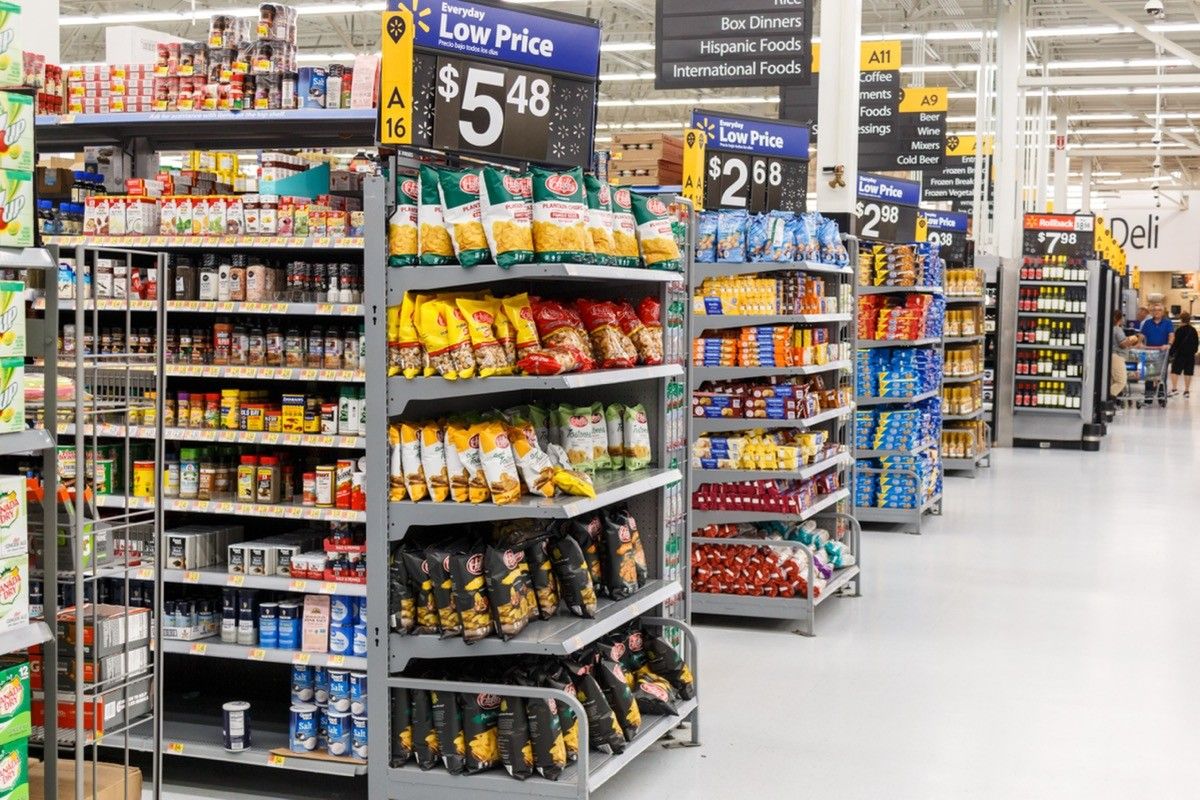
column 403, row 392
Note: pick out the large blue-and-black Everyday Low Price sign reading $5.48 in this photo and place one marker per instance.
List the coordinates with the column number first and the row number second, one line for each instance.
column 503, row 83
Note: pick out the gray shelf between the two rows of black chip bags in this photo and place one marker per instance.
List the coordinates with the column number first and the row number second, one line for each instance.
column 560, row 636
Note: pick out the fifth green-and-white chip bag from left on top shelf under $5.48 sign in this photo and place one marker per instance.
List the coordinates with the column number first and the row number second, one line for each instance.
column 560, row 216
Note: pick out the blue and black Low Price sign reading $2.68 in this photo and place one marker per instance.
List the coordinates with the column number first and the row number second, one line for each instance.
column 753, row 164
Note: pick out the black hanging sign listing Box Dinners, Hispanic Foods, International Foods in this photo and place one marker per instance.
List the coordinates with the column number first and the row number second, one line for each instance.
column 707, row 44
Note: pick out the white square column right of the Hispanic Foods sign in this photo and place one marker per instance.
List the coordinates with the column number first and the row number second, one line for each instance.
column 838, row 106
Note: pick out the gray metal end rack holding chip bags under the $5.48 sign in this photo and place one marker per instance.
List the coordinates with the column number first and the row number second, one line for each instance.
column 656, row 497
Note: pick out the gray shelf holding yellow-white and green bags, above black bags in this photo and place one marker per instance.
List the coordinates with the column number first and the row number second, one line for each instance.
column 611, row 488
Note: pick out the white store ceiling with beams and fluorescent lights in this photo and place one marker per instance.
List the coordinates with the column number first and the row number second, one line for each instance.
column 1072, row 39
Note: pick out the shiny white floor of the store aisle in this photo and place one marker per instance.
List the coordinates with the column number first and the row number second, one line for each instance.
column 1037, row 642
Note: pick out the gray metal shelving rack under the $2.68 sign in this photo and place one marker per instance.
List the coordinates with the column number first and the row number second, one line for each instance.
column 835, row 507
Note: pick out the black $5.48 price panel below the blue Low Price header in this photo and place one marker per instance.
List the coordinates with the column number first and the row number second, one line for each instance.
column 493, row 110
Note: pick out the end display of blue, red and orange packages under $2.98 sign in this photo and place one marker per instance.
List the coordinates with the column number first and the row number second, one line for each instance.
column 901, row 368
